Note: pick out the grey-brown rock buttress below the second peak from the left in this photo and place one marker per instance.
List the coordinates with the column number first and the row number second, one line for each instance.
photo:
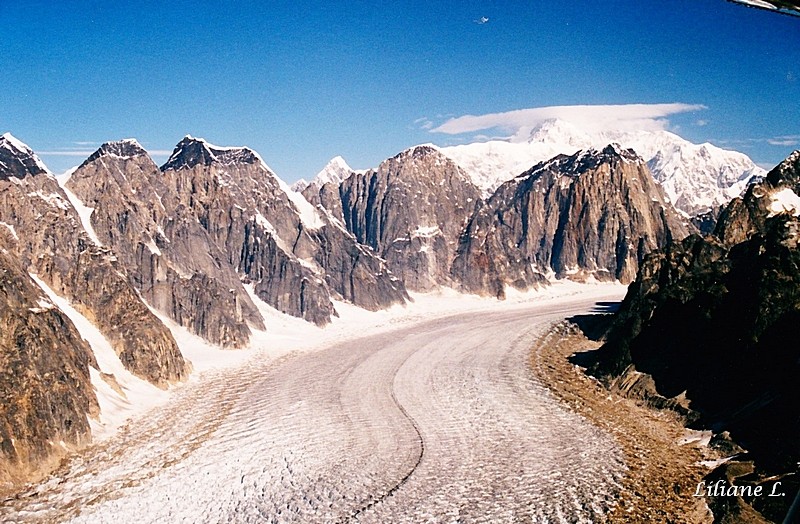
column 169, row 256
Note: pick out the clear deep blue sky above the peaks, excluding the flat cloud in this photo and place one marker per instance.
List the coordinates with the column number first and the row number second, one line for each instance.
column 301, row 82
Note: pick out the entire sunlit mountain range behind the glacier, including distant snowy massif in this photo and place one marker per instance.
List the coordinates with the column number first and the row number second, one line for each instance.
column 205, row 238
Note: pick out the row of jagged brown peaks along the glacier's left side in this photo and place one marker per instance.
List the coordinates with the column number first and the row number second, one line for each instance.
column 123, row 236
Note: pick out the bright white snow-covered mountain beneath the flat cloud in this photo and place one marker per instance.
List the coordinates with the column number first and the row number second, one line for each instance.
column 695, row 177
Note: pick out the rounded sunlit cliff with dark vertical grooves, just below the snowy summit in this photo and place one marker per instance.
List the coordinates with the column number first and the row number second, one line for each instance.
column 593, row 213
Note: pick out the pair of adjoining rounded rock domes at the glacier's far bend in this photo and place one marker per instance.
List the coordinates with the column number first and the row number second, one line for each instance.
column 595, row 214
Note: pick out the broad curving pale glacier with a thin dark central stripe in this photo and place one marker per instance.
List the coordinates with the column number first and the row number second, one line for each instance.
column 424, row 412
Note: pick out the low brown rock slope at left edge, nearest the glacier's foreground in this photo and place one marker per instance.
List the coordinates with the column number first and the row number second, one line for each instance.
column 45, row 389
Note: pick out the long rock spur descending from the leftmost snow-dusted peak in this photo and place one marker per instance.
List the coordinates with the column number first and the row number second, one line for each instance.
column 49, row 239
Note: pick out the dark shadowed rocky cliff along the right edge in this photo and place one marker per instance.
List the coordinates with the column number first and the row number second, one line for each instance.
column 714, row 320
